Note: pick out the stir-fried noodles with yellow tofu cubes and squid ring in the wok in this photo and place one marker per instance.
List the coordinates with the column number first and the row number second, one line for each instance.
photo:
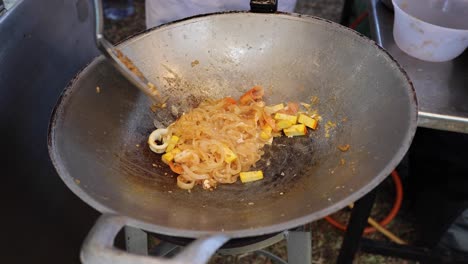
column 221, row 140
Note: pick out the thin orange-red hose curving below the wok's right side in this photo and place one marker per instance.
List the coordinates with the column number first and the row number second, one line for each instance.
column 389, row 217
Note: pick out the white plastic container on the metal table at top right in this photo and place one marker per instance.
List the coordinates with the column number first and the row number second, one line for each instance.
column 431, row 30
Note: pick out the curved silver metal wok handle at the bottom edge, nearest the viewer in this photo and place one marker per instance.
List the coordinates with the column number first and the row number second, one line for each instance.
column 98, row 247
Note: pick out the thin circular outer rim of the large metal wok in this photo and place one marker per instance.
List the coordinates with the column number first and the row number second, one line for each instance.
column 248, row 232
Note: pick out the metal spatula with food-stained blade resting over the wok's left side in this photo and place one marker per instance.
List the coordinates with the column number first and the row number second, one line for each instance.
column 120, row 61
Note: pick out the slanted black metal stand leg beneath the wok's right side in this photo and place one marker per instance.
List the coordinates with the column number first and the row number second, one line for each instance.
column 357, row 223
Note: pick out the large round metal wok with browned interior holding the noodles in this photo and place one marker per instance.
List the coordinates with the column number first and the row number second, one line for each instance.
column 97, row 139
